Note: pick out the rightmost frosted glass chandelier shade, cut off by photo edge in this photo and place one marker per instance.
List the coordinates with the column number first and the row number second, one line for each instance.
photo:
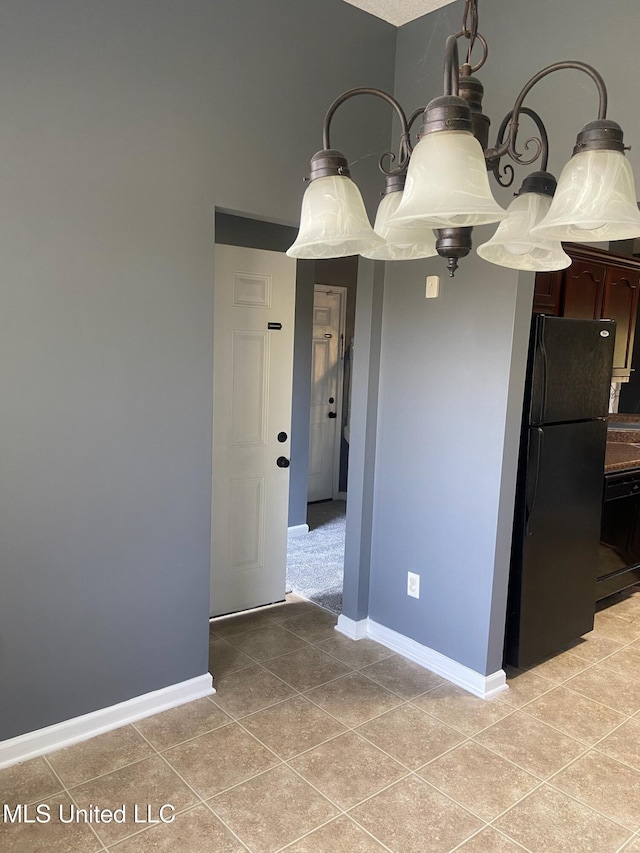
column 595, row 200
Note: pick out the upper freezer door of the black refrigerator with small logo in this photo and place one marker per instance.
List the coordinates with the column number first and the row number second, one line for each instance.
column 571, row 369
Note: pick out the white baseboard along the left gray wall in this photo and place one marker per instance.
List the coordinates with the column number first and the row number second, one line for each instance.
column 51, row 738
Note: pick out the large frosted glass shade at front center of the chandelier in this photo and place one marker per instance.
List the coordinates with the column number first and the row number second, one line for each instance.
column 447, row 184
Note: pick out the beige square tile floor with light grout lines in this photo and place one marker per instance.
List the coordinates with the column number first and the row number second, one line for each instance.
column 317, row 744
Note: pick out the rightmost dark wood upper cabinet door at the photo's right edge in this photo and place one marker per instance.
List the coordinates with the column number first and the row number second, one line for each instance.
column 620, row 303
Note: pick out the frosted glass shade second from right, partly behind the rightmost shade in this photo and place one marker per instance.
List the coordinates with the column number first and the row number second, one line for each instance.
column 513, row 246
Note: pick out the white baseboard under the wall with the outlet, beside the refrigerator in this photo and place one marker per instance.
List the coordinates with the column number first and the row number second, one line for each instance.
column 484, row 686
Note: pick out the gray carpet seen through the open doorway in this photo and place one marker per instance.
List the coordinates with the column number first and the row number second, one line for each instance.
column 315, row 561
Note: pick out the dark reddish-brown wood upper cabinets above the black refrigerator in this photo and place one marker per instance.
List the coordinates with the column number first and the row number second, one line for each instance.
column 597, row 285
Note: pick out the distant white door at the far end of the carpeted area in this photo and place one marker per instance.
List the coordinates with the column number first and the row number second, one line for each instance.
column 326, row 391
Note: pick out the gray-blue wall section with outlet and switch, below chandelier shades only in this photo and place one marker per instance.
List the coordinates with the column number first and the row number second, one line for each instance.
column 445, row 373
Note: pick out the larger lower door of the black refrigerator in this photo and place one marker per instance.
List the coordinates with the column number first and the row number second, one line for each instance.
column 555, row 553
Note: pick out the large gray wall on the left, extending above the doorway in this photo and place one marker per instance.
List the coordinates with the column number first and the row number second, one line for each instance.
column 124, row 125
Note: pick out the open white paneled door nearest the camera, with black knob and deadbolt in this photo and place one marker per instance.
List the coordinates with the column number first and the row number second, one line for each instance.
column 254, row 303
